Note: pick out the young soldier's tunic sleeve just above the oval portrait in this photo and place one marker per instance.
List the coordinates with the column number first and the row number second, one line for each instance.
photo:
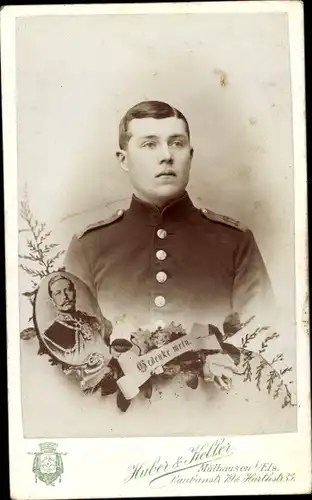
column 76, row 262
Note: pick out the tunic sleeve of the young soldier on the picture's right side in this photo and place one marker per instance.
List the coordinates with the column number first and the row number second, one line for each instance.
column 252, row 291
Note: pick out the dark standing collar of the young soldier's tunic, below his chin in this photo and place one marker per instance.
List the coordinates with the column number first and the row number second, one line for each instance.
column 177, row 210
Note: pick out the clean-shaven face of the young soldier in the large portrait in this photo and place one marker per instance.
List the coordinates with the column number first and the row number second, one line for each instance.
column 158, row 158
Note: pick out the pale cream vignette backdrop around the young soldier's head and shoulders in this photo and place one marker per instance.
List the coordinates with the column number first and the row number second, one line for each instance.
column 230, row 76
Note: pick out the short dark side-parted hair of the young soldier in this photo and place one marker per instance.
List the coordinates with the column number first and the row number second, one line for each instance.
column 147, row 109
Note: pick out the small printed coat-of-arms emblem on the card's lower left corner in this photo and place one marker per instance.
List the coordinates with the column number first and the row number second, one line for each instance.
column 48, row 464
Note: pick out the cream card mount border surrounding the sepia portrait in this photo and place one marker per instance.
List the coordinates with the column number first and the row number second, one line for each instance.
column 99, row 467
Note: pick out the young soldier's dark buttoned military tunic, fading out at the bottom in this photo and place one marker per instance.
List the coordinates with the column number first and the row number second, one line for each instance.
column 149, row 266
